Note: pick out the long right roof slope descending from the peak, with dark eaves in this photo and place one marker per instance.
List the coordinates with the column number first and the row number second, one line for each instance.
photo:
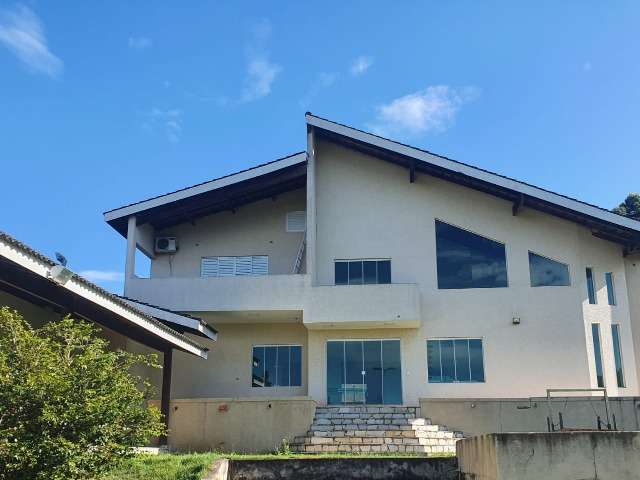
column 603, row 223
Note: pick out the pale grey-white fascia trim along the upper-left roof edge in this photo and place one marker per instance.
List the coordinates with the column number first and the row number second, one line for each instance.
column 205, row 187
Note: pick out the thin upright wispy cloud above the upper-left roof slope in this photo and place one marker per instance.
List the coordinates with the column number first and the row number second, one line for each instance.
column 261, row 71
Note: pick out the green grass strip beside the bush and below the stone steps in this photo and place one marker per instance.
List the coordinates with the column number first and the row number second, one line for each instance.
column 193, row 466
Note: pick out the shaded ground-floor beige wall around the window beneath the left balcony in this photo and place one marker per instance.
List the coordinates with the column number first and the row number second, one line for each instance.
column 227, row 371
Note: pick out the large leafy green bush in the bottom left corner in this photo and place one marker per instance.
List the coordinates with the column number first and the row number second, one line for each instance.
column 69, row 407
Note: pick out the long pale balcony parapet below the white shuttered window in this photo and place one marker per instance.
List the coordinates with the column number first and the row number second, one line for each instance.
column 222, row 294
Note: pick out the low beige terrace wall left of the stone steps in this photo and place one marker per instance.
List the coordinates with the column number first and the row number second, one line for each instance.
column 238, row 424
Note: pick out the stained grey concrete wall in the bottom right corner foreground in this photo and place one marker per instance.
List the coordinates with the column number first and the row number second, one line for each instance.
column 550, row 456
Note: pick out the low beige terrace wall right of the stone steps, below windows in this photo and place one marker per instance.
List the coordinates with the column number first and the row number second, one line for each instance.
column 481, row 416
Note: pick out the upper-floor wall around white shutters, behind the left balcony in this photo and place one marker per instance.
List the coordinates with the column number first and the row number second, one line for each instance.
column 255, row 229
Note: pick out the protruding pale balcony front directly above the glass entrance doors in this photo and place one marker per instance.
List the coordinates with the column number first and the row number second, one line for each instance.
column 363, row 306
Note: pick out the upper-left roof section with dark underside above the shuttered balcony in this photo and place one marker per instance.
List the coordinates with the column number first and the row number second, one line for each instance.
column 222, row 193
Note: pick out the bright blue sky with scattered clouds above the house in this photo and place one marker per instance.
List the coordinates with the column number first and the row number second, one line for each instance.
column 106, row 103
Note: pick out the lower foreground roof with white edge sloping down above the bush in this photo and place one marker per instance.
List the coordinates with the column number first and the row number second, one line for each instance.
column 26, row 273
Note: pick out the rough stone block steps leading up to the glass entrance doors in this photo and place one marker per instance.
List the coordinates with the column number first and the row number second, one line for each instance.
column 365, row 429
